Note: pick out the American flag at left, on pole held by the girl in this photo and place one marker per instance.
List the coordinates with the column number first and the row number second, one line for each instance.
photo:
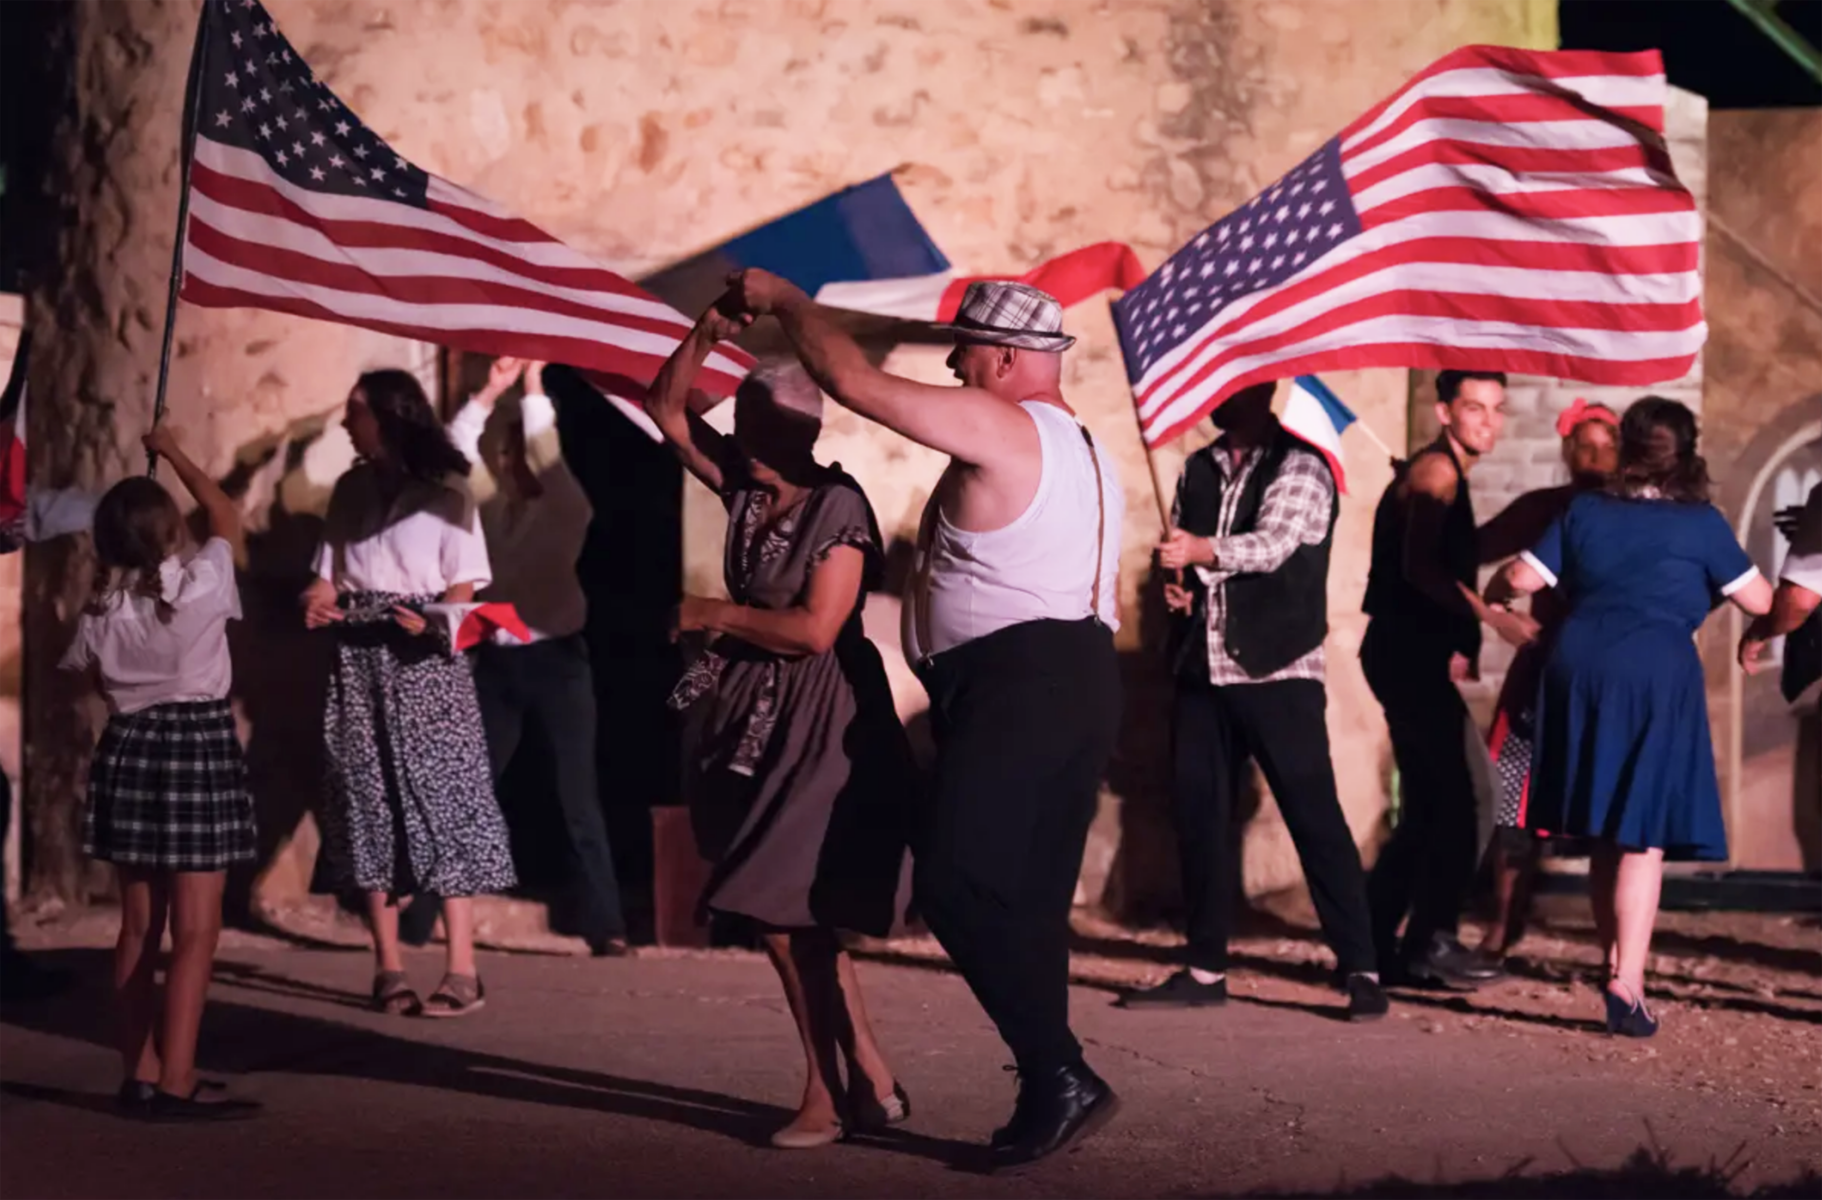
column 298, row 207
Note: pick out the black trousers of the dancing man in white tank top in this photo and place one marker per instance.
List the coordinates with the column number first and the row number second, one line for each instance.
column 1025, row 724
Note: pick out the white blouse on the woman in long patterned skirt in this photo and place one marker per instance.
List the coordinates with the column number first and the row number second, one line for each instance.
column 424, row 545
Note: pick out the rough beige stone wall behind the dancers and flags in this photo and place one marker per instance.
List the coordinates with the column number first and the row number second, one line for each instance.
column 646, row 132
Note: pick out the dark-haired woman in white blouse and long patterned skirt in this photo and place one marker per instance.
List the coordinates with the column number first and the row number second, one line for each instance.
column 411, row 797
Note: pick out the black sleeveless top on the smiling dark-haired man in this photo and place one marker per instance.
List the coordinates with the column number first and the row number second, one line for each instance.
column 1393, row 602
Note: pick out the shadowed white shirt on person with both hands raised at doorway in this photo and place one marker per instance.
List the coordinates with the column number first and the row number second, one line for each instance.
column 533, row 544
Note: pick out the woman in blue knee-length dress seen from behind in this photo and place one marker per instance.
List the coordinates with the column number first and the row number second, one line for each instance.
column 1622, row 733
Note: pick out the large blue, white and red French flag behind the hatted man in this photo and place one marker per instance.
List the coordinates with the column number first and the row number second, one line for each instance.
column 865, row 250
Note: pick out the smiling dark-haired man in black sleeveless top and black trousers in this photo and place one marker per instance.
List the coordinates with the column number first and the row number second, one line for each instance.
column 1424, row 638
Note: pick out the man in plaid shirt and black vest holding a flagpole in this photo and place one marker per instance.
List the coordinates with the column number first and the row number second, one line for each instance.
column 1253, row 527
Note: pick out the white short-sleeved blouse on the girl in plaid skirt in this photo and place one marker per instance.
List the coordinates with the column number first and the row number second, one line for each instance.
column 148, row 660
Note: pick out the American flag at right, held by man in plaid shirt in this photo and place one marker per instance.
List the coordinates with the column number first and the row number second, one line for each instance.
column 1506, row 210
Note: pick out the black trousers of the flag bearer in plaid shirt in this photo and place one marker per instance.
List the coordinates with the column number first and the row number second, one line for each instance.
column 1282, row 726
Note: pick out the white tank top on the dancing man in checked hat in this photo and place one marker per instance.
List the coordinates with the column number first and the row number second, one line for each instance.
column 1041, row 567
